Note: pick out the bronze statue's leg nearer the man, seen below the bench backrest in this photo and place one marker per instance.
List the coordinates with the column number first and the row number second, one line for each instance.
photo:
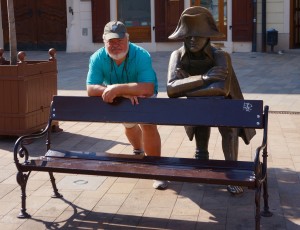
column 202, row 135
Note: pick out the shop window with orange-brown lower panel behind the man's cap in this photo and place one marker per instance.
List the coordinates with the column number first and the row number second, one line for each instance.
column 136, row 15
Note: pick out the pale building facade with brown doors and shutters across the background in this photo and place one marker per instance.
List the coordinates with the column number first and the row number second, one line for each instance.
column 77, row 25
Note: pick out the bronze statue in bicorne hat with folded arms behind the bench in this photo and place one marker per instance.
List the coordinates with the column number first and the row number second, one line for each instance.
column 198, row 69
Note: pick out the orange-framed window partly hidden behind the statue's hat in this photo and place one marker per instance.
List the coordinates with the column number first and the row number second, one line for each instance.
column 218, row 8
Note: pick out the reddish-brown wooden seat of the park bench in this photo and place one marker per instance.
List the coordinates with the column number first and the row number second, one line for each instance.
column 185, row 173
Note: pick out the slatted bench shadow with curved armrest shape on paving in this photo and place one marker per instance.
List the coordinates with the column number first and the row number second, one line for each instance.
column 85, row 219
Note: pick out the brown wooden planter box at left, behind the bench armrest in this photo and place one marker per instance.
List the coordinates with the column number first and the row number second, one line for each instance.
column 26, row 91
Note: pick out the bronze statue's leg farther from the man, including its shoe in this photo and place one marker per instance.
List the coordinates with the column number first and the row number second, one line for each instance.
column 230, row 146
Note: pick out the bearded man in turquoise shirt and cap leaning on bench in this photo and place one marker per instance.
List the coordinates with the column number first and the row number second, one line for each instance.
column 123, row 69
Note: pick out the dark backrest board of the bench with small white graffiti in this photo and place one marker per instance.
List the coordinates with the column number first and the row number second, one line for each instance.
column 160, row 111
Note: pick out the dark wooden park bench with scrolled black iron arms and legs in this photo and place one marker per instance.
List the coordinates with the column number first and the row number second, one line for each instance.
column 213, row 112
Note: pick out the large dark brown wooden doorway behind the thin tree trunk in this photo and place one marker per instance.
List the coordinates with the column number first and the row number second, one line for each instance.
column 40, row 24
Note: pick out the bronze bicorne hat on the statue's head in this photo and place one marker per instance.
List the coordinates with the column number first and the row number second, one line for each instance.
column 196, row 21
